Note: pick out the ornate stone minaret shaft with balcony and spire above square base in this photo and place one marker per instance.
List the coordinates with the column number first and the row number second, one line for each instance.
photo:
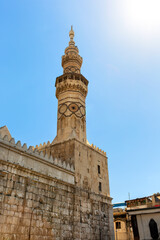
column 71, row 92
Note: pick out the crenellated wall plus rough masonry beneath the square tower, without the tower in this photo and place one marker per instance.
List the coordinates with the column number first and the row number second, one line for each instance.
column 40, row 205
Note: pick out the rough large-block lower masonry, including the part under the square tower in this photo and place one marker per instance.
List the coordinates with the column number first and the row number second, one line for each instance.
column 36, row 207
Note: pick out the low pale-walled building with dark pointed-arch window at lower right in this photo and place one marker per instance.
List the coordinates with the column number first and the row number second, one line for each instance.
column 145, row 217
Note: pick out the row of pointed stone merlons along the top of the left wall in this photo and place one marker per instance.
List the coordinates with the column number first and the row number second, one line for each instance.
column 35, row 152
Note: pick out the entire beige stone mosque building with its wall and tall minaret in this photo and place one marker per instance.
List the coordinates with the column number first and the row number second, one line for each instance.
column 57, row 190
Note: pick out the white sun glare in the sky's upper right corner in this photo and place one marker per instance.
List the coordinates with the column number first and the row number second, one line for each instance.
column 143, row 16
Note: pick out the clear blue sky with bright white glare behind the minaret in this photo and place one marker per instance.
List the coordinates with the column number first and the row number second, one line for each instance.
column 120, row 45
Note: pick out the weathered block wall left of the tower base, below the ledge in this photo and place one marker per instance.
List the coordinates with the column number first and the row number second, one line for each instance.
column 34, row 208
